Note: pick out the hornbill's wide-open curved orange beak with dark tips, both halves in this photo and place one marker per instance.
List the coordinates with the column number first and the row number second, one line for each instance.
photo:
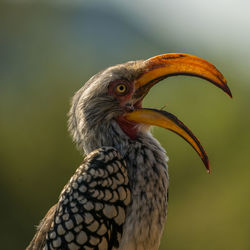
column 160, row 67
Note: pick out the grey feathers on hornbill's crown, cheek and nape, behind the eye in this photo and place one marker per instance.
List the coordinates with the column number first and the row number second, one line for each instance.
column 93, row 110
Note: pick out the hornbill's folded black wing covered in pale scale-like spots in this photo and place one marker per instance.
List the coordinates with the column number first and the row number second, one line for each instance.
column 92, row 207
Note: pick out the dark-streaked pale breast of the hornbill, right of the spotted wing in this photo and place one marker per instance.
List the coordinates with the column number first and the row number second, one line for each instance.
column 148, row 178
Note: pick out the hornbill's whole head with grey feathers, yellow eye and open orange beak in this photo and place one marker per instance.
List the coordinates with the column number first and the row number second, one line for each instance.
column 116, row 94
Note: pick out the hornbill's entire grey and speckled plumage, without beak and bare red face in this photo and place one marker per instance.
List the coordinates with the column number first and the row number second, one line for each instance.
column 142, row 164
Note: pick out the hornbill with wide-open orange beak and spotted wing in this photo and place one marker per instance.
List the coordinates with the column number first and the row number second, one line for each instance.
column 118, row 197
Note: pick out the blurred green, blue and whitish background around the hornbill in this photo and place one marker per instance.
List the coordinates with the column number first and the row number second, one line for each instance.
column 48, row 49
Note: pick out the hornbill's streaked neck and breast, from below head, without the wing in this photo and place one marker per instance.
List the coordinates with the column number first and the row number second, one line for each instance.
column 148, row 179
